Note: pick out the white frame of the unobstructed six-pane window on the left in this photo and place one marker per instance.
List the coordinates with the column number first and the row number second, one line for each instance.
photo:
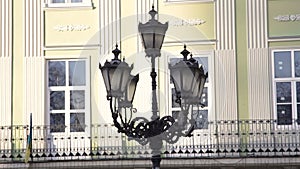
column 67, row 89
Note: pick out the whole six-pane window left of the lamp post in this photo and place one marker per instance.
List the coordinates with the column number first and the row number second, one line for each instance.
column 68, row 95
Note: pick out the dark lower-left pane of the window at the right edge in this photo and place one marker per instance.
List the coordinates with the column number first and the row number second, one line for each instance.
column 284, row 114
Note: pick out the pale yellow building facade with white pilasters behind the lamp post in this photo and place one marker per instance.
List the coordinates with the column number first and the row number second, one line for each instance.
column 50, row 51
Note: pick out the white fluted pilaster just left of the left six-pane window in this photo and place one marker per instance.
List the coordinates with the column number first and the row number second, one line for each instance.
column 33, row 62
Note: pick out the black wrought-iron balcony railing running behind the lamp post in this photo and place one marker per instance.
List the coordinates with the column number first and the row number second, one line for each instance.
column 221, row 139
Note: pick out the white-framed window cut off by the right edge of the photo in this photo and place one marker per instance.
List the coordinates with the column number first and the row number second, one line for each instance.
column 286, row 86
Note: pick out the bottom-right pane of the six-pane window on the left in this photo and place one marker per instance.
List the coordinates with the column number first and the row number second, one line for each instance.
column 77, row 122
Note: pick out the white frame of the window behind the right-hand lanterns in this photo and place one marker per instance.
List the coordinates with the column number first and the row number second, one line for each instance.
column 209, row 85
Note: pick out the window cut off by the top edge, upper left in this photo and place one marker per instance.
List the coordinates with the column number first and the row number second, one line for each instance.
column 68, row 3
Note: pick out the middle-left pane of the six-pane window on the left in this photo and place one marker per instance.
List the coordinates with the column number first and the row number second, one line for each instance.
column 57, row 100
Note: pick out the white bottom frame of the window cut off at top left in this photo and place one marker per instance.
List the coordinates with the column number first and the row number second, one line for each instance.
column 68, row 3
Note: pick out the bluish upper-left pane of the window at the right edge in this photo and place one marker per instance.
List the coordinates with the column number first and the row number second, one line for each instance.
column 282, row 64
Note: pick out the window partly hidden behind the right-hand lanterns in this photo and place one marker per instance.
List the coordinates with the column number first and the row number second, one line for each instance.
column 199, row 114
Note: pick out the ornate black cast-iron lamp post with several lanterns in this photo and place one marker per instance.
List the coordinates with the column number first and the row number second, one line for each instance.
column 187, row 75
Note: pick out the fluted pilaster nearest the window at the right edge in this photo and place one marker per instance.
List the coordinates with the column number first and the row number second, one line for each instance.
column 258, row 60
